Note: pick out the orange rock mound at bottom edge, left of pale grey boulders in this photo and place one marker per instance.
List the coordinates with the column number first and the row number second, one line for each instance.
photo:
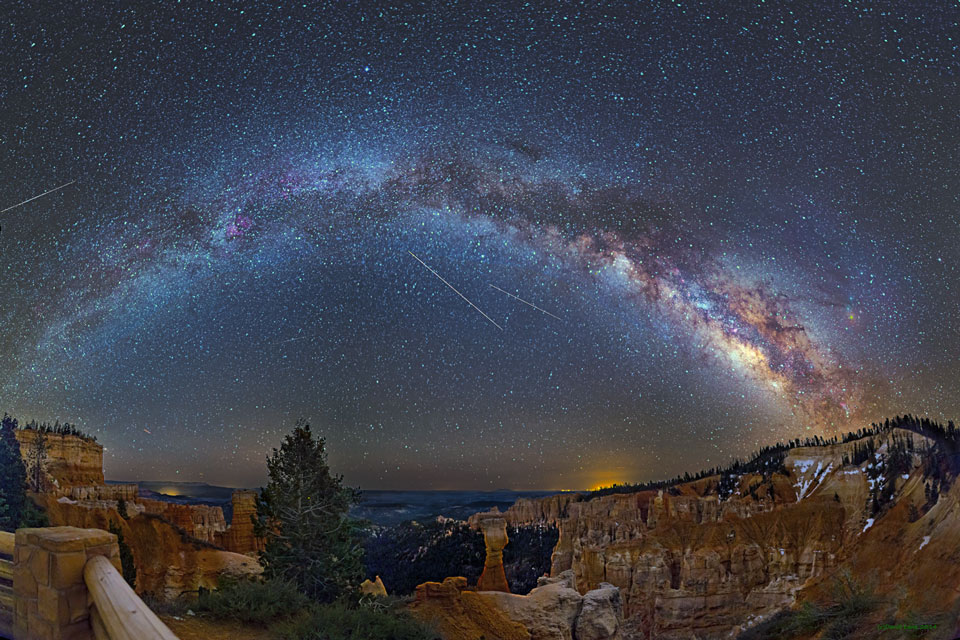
column 458, row 614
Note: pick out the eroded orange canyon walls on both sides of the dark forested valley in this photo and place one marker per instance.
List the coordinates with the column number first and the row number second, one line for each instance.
column 704, row 558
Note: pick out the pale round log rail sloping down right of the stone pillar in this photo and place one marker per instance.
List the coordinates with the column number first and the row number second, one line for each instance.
column 117, row 612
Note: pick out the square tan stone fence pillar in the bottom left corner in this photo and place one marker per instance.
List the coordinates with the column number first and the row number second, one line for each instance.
column 50, row 596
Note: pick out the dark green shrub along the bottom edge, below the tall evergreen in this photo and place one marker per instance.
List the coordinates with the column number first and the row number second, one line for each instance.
column 340, row 621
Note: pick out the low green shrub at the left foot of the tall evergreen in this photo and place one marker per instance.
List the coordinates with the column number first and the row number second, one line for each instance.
column 252, row 601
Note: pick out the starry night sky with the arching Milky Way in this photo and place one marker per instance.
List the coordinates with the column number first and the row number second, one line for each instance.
column 740, row 225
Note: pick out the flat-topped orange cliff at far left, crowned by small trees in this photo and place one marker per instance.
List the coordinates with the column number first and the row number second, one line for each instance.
column 71, row 460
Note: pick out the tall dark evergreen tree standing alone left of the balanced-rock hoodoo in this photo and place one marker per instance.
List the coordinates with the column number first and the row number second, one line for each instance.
column 302, row 513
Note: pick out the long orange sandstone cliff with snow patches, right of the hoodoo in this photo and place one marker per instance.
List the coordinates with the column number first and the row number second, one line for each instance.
column 690, row 565
